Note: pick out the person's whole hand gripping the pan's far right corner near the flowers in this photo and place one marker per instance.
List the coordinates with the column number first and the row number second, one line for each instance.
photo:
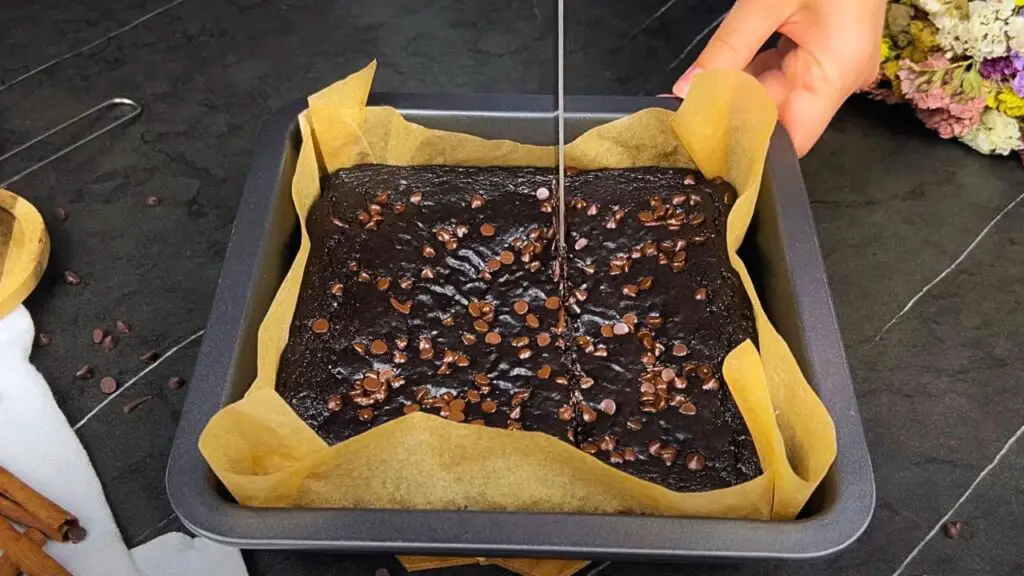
column 829, row 51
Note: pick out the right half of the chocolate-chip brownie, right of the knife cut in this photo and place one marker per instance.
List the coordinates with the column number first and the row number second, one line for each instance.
column 660, row 308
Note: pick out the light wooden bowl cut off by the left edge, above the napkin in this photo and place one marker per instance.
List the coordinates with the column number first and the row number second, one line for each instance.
column 25, row 250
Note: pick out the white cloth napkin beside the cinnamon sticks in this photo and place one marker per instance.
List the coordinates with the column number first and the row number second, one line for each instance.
column 38, row 445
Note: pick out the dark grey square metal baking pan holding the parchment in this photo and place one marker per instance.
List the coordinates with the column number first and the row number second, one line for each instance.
column 782, row 252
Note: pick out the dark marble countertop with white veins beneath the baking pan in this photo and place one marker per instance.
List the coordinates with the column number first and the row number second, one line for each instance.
column 923, row 238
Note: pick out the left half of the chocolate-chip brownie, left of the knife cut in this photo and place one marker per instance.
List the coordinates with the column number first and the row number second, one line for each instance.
column 429, row 289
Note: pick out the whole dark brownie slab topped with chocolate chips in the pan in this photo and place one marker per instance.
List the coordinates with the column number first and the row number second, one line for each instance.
column 445, row 290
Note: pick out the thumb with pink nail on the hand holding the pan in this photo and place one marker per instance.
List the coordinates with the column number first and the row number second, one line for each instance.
column 744, row 31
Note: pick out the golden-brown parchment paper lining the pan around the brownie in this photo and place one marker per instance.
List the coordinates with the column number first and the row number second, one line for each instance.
column 268, row 457
